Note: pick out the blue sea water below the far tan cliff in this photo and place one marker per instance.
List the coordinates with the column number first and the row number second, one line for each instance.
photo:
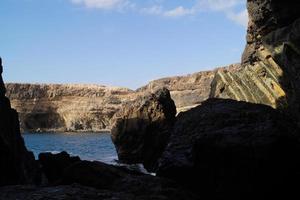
column 88, row 146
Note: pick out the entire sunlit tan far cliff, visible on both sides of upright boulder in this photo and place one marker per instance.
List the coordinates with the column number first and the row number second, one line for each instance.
column 90, row 108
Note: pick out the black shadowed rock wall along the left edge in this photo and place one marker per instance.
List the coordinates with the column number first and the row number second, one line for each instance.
column 17, row 165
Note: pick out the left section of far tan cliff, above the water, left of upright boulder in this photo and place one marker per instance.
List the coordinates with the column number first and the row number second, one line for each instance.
column 66, row 108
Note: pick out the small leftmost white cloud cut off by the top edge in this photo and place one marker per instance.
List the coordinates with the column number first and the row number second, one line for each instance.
column 102, row 4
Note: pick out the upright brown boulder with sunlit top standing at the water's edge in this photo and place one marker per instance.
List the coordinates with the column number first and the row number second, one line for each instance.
column 141, row 130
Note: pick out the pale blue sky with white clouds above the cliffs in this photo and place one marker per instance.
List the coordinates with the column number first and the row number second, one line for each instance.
column 118, row 42
